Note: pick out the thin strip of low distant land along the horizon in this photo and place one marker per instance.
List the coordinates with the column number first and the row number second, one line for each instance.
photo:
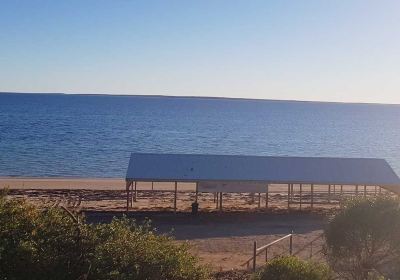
column 200, row 97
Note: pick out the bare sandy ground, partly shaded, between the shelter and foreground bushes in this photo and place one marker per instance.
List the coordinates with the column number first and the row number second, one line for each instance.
column 225, row 240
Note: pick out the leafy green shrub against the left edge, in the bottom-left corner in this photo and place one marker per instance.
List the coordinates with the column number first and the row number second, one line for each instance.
column 36, row 244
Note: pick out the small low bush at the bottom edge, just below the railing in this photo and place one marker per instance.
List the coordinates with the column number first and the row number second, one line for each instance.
column 292, row 268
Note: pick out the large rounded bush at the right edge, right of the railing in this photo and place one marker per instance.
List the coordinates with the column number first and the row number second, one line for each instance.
column 363, row 240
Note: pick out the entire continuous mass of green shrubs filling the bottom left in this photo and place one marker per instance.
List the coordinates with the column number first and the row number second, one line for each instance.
column 51, row 244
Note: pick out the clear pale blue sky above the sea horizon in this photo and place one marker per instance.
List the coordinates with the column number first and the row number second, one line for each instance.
column 342, row 50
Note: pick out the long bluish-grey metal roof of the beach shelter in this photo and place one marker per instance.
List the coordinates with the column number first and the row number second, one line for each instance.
column 307, row 170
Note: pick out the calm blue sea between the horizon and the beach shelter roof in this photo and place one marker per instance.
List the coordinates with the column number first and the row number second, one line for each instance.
column 93, row 136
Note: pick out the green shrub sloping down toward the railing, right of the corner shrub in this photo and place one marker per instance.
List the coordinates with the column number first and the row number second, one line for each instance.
column 128, row 251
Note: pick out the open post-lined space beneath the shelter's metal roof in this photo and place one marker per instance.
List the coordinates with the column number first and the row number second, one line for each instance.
column 179, row 196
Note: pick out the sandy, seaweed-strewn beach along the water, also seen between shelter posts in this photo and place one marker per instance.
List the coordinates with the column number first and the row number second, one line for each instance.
column 110, row 194
